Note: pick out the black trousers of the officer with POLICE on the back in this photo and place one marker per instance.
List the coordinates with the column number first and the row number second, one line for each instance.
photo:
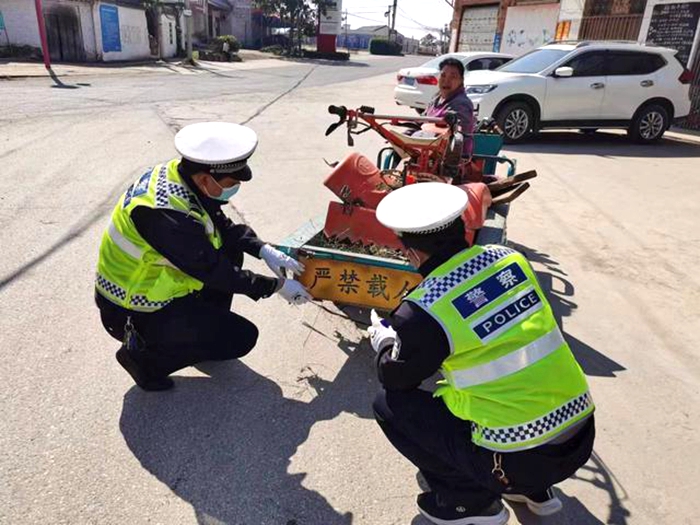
column 422, row 429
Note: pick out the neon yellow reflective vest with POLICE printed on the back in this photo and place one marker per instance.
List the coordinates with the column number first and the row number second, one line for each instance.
column 510, row 371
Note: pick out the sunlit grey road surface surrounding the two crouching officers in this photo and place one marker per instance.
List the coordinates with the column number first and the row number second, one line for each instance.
column 286, row 435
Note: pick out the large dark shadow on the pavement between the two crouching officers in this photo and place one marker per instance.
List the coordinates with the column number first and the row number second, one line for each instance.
column 224, row 443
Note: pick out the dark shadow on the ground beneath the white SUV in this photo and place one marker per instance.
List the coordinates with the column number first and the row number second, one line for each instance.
column 603, row 144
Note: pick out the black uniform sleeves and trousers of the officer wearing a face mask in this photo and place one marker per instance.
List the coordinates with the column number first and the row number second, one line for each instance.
column 200, row 326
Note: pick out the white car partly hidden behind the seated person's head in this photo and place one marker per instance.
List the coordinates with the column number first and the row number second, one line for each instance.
column 416, row 86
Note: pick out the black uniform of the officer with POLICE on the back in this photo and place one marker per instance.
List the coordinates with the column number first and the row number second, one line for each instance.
column 422, row 428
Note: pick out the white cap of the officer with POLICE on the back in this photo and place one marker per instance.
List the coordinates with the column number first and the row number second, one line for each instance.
column 425, row 207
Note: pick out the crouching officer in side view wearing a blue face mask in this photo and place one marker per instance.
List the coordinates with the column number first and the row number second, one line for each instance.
column 170, row 260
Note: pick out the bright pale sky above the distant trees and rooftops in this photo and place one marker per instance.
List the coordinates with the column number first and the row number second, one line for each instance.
column 415, row 17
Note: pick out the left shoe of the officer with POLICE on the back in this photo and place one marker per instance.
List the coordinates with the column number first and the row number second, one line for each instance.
column 436, row 511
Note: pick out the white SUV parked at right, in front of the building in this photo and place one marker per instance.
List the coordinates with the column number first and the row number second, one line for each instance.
column 585, row 85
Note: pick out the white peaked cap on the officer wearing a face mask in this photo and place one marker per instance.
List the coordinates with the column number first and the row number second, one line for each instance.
column 222, row 146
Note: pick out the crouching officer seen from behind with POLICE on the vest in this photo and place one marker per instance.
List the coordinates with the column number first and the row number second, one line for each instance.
column 513, row 415
